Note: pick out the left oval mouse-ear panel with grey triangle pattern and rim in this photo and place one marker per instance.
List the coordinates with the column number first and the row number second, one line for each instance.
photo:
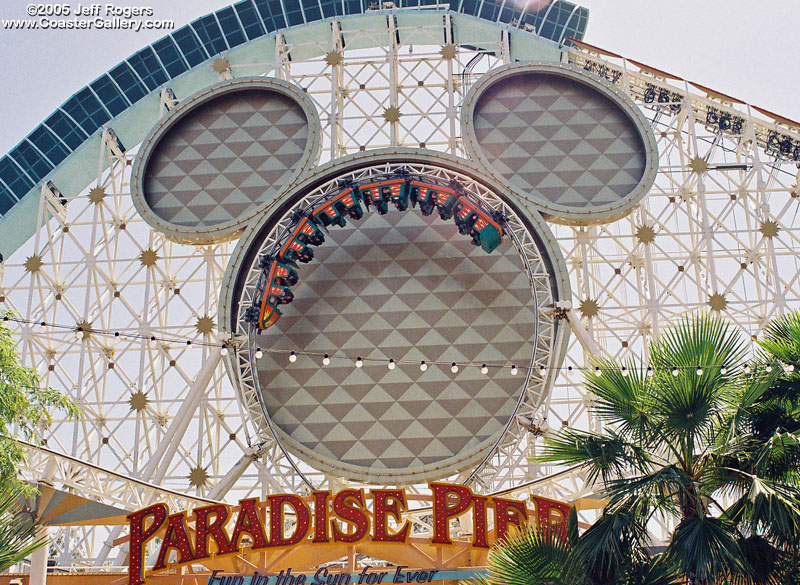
column 212, row 163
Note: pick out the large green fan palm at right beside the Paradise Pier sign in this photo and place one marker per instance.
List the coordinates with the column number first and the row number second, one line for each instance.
column 678, row 443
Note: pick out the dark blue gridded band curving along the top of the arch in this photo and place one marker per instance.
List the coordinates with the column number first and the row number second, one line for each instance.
column 79, row 118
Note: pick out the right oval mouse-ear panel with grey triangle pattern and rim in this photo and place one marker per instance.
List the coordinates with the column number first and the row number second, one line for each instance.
column 580, row 148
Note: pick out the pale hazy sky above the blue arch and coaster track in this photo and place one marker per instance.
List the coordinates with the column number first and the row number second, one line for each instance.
column 741, row 48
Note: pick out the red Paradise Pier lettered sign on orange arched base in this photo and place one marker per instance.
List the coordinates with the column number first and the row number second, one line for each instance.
column 327, row 519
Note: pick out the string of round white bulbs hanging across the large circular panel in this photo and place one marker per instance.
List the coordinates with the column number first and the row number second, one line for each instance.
column 359, row 362
